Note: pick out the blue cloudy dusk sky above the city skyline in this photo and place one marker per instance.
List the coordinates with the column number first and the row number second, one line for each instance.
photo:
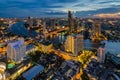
column 57, row 8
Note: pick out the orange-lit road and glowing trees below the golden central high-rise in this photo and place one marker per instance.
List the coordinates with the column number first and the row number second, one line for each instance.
column 83, row 58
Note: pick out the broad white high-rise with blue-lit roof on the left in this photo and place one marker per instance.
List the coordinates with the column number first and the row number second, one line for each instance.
column 16, row 50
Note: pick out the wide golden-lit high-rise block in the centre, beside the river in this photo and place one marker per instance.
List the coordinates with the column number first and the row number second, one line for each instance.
column 74, row 44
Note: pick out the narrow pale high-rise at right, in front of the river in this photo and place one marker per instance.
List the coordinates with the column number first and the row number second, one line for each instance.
column 101, row 54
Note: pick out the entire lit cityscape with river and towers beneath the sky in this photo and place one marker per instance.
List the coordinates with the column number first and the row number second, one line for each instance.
column 66, row 47
